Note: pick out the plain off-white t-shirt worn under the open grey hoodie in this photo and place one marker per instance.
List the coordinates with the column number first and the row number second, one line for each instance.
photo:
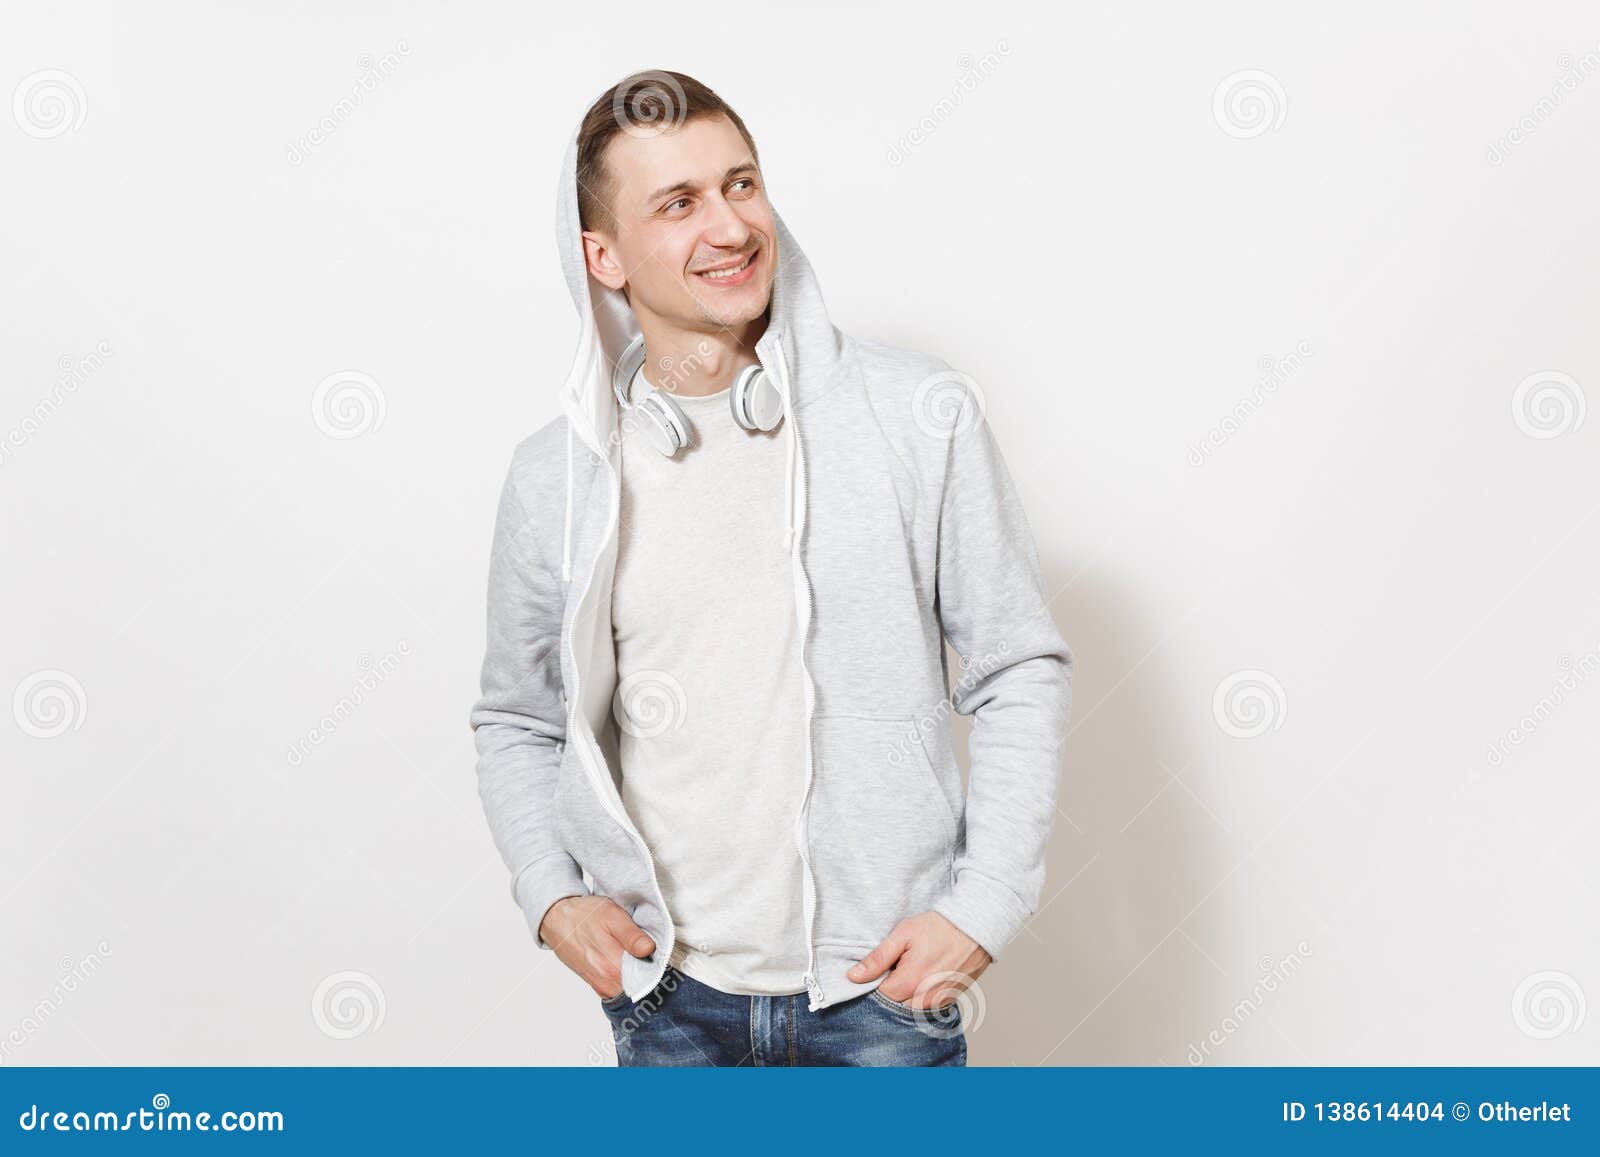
column 711, row 705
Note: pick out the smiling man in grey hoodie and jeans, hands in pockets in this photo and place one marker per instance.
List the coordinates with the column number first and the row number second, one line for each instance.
column 719, row 598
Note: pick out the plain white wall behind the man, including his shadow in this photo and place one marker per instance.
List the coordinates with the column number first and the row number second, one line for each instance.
column 1111, row 257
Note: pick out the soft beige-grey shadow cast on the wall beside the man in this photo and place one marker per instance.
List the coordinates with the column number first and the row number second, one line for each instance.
column 1110, row 971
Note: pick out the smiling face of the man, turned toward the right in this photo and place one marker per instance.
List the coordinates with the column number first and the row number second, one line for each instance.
column 695, row 241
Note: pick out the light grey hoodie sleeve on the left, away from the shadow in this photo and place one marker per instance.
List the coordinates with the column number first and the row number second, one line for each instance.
column 519, row 723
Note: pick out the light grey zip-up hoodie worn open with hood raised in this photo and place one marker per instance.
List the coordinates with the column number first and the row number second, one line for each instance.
column 906, row 532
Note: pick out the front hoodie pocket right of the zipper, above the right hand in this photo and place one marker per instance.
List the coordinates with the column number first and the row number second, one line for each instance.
column 881, row 830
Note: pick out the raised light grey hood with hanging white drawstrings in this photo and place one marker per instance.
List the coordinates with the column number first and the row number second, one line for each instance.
column 801, row 342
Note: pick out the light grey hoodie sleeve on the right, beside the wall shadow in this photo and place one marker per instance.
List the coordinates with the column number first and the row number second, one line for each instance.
column 1015, row 683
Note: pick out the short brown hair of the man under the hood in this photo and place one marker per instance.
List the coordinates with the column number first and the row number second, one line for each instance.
column 650, row 100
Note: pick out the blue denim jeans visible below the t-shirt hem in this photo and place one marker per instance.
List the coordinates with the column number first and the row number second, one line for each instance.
column 684, row 1022
